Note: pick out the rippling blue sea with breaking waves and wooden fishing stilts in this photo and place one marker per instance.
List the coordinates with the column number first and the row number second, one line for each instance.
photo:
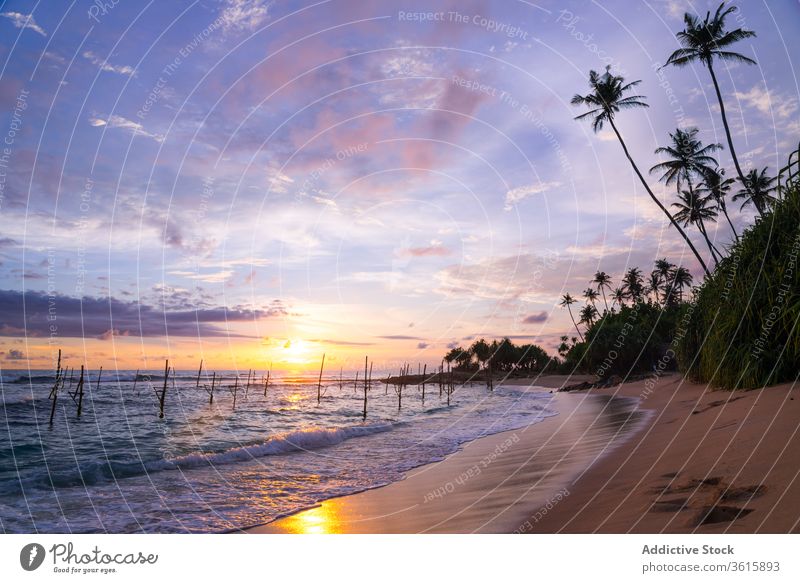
column 211, row 468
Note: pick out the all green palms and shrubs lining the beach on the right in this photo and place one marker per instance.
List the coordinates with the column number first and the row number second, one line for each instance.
column 741, row 327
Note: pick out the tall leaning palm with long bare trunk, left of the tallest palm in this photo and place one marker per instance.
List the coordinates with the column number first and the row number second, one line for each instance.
column 605, row 101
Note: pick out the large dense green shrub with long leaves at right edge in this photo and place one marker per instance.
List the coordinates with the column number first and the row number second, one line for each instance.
column 743, row 330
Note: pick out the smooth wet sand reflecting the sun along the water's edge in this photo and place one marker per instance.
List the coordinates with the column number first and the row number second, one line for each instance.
column 493, row 484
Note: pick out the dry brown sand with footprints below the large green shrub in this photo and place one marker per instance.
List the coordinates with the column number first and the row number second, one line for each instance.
column 709, row 461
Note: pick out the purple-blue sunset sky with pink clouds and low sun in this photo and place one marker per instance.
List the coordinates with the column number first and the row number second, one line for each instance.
column 253, row 182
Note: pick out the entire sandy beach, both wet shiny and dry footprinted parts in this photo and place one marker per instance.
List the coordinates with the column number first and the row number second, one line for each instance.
column 668, row 456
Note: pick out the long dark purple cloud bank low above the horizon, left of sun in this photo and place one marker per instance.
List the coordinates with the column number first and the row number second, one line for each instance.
column 33, row 314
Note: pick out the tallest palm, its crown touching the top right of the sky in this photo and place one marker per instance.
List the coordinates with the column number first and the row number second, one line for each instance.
column 705, row 41
